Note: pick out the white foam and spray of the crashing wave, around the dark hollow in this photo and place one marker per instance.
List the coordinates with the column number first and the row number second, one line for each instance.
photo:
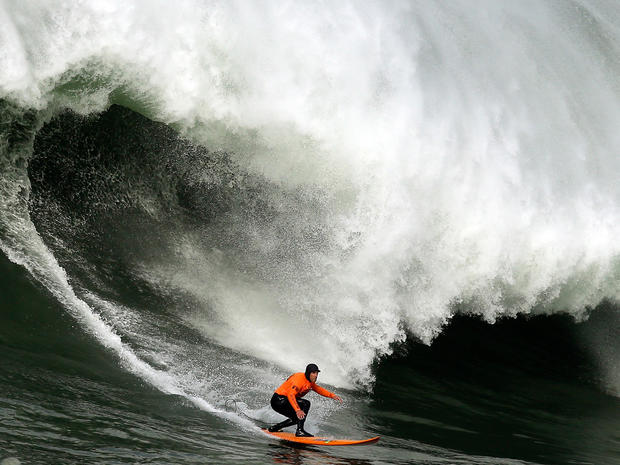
column 466, row 156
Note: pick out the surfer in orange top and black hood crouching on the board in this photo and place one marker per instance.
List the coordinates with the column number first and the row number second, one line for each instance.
column 287, row 399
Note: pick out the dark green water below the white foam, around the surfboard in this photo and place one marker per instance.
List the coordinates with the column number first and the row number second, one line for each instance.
column 520, row 390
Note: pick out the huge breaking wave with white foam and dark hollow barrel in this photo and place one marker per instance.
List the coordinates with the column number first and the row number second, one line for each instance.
column 308, row 180
